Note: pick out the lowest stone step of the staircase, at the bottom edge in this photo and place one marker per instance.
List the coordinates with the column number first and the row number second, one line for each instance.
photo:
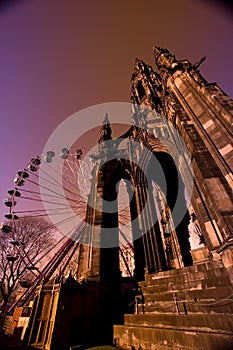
column 162, row 338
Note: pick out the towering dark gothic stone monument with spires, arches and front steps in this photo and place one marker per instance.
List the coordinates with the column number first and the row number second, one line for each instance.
column 183, row 264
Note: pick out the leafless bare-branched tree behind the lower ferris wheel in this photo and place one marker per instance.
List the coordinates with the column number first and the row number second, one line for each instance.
column 20, row 250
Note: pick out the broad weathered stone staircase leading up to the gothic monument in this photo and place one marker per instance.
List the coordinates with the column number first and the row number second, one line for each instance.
column 190, row 308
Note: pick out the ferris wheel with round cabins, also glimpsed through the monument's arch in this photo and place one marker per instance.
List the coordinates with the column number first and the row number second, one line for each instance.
column 53, row 187
